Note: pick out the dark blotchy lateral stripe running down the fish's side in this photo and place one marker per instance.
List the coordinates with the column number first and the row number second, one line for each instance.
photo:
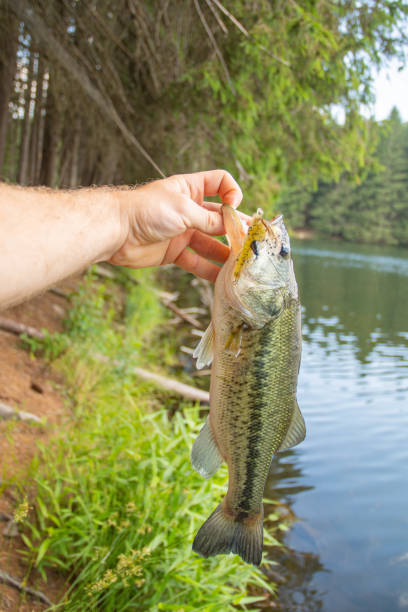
column 255, row 426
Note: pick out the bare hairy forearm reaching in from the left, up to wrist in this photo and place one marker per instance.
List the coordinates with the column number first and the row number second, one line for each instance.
column 48, row 235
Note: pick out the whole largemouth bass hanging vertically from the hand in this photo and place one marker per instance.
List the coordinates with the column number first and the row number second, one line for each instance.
column 254, row 345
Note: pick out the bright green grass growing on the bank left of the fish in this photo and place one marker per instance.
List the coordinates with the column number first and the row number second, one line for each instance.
column 117, row 503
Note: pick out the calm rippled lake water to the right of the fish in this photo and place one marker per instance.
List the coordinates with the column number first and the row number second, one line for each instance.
column 348, row 481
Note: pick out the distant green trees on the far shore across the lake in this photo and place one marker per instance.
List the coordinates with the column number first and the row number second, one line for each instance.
column 374, row 210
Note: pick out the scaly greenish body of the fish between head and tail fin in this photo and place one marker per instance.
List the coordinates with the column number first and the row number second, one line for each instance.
column 257, row 408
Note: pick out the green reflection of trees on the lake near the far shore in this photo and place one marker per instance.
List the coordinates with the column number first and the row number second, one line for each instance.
column 354, row 295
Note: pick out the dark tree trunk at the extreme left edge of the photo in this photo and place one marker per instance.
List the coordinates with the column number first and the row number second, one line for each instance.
column 8, row 64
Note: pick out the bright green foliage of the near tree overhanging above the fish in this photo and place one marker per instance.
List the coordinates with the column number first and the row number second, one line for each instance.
column 276, row 123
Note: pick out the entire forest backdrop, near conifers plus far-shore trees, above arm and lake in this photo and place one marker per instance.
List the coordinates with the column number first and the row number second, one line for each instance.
column 92, row 93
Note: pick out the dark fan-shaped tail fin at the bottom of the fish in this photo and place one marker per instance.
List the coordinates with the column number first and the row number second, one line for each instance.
column 221, row 535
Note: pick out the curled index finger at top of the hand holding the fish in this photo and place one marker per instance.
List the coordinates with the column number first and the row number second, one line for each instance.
column 213, row 182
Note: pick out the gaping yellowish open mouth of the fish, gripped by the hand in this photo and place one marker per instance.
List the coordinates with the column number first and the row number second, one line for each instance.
column 243, row 242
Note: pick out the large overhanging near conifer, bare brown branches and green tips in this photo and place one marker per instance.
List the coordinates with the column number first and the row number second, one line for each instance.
column 182, row 86
